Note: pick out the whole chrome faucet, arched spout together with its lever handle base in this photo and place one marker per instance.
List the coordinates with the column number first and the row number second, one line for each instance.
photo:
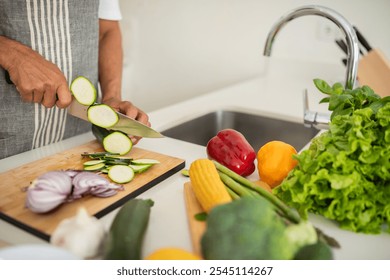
column 314, row 118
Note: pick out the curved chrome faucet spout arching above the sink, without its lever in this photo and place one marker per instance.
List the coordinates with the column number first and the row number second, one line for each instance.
column 339, row 20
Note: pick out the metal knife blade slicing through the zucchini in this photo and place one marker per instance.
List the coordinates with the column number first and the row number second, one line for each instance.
column 125, row 124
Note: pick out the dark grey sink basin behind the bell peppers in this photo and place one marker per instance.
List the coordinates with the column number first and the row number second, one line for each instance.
column 258, row 130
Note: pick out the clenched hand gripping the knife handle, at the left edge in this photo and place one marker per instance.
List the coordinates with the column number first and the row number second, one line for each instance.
column 36, row 79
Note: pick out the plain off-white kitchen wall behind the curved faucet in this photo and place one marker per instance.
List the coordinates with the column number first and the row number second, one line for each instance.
column 176, row 49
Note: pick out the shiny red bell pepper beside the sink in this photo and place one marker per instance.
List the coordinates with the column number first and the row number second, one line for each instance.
column 230, row 148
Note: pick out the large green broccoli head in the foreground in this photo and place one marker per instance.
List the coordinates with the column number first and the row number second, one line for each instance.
column 247, row 228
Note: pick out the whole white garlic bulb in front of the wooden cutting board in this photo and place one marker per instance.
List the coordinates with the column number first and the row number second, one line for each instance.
column 82, row 235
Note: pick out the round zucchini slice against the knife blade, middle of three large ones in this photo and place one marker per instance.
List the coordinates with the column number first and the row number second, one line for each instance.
column 102, row 115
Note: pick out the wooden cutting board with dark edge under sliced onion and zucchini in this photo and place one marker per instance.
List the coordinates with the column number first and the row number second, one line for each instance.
column 12, row 182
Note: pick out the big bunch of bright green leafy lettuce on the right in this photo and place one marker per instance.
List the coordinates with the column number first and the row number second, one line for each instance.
column 344, row 175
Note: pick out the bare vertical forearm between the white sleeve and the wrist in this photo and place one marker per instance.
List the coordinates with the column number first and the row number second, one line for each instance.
column 110, row 59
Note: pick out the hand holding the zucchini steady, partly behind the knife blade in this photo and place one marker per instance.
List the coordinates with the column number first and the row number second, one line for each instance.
column 128, row 109
